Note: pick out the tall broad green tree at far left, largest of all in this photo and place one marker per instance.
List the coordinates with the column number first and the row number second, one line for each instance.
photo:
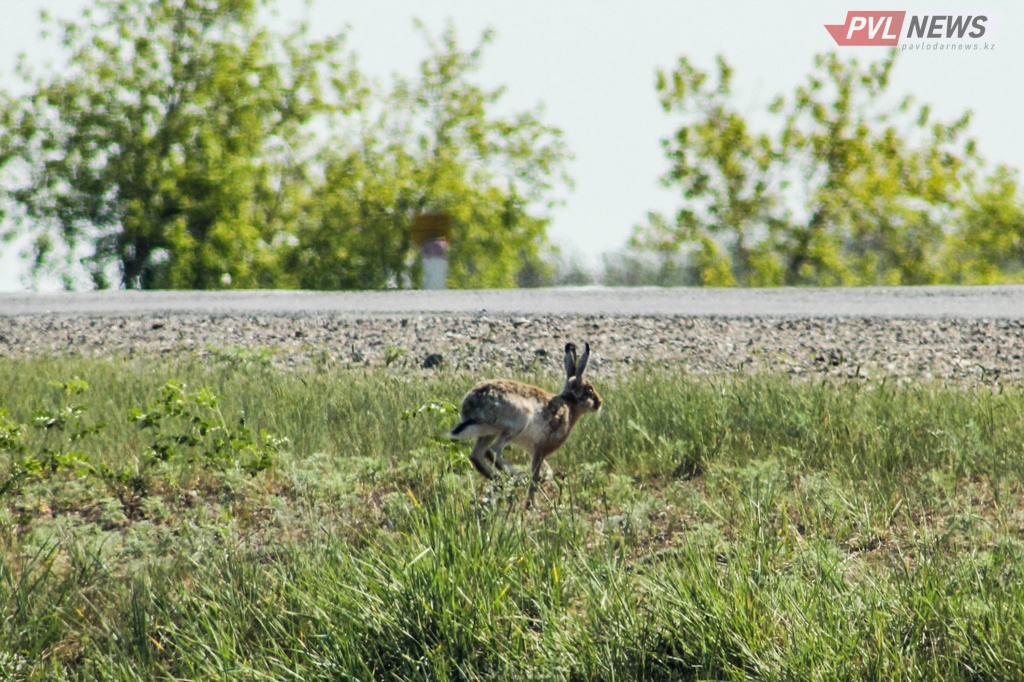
column 168, row 148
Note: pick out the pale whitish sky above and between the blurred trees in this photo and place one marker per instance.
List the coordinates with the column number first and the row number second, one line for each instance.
column 592, row 66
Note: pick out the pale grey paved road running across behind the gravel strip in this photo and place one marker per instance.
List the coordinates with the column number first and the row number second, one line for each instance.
column 930, row 303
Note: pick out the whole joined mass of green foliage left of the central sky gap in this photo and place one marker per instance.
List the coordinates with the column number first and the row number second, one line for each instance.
column 186, row 146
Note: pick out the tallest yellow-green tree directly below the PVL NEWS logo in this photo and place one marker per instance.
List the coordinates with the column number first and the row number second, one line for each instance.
column 881, row 183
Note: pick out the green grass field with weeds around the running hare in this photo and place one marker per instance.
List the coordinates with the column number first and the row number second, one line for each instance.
column 701, row 528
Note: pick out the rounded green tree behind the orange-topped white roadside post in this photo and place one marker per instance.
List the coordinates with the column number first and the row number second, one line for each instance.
column 435, row 144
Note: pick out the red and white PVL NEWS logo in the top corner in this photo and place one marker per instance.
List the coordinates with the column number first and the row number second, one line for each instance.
column 917, row 32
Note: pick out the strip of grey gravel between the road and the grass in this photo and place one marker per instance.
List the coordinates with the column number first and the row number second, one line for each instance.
column 968, row 351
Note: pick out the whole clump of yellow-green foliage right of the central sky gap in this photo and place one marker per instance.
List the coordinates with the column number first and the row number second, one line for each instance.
column 848, row 191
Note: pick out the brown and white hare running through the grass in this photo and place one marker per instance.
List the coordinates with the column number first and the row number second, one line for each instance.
column 499, row 412
